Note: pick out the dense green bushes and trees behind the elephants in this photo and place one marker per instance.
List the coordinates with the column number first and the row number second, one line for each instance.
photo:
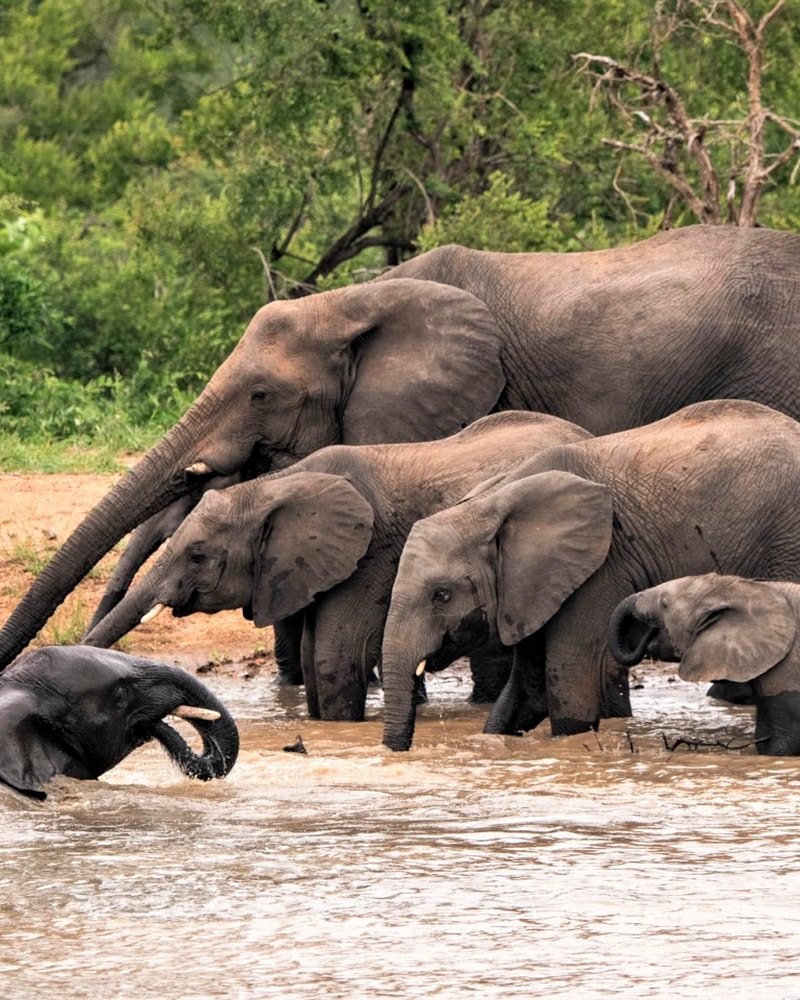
column 166, row 166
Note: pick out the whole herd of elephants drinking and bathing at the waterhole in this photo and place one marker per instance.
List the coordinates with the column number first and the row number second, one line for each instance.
column 555, row 464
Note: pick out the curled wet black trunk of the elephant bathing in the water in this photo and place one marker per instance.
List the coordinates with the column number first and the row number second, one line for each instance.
column 220, row 735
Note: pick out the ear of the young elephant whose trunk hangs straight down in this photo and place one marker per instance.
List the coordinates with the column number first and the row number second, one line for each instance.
column 555, row 533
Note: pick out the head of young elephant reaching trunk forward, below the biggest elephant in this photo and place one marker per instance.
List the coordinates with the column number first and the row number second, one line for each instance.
column 266, row 546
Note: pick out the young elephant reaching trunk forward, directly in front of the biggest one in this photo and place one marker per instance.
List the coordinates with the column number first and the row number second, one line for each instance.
column 326, row 536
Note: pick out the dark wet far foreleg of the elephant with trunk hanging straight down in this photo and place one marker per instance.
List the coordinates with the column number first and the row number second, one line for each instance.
column 523, row 703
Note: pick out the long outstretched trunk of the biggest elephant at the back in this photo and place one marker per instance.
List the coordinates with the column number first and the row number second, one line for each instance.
column 157, row 480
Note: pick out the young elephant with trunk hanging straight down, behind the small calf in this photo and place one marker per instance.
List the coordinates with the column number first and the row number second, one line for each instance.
column 542, row 558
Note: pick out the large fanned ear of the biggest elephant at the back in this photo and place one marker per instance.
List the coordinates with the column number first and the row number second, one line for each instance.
column 427, row 365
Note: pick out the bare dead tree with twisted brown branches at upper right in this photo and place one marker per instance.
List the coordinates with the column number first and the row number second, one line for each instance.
column 717, row 167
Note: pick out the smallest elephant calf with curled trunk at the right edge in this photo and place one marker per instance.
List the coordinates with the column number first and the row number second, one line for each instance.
column 724, row 627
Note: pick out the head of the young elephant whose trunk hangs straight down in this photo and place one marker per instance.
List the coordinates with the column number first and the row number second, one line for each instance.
column 498, row 565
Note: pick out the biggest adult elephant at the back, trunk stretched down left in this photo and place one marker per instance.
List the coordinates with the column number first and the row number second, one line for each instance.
column 608, row 340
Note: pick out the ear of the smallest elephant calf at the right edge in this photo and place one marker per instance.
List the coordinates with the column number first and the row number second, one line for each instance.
column 741, row 630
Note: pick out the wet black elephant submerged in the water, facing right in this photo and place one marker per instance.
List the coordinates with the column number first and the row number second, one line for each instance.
column 78, row 711
